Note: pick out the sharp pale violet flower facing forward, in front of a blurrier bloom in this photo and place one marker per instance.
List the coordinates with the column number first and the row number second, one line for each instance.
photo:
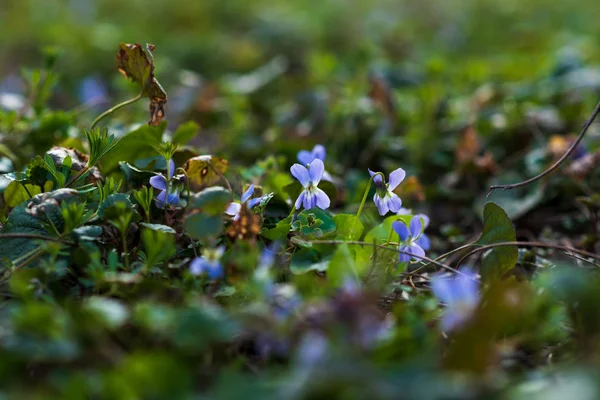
column 311, row 196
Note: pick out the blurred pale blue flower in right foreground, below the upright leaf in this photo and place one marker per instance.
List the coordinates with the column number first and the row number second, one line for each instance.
column 460, row 295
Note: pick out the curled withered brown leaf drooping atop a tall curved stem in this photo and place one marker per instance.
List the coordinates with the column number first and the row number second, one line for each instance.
column 137, row 64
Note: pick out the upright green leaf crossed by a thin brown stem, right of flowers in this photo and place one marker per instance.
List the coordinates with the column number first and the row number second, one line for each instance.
column 497, row 228
